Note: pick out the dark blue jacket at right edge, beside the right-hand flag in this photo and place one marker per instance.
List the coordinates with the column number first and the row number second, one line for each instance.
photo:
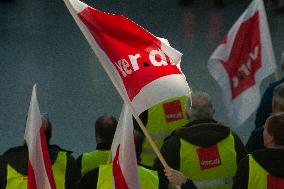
column 265, row 106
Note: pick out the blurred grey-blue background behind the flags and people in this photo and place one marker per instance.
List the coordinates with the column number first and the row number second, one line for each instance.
column 40, row 43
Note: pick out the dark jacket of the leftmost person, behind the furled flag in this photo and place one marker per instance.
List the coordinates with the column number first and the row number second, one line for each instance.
column 17, row 158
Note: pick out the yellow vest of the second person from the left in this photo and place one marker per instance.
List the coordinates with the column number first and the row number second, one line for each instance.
column 92, row 160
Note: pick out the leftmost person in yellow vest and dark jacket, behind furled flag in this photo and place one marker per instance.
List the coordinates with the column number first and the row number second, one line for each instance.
column 14, row 165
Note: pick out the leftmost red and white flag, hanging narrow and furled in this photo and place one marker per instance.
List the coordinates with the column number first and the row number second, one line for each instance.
column 40, row 174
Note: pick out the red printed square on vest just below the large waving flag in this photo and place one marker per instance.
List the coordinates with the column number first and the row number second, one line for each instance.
column 173, row 111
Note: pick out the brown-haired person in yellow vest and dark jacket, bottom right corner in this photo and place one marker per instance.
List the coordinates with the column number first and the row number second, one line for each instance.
column 264, row 169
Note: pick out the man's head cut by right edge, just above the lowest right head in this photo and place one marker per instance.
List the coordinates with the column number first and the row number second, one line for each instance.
column 278, row 98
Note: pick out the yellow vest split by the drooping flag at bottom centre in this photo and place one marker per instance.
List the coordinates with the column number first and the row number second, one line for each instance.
column 148, row 178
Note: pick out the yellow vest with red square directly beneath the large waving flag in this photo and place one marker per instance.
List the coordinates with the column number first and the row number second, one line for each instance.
column 163, row 118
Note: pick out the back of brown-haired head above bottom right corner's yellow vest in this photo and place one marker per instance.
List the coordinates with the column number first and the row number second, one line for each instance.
column 275, row 127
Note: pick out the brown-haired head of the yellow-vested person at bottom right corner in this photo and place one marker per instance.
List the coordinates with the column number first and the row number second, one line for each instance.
column 273, row 134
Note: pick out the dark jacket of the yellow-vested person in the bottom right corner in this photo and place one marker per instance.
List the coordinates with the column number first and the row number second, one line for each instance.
column 272, row 160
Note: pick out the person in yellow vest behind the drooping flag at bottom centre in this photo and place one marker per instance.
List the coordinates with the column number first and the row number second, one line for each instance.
column 101, row 177
